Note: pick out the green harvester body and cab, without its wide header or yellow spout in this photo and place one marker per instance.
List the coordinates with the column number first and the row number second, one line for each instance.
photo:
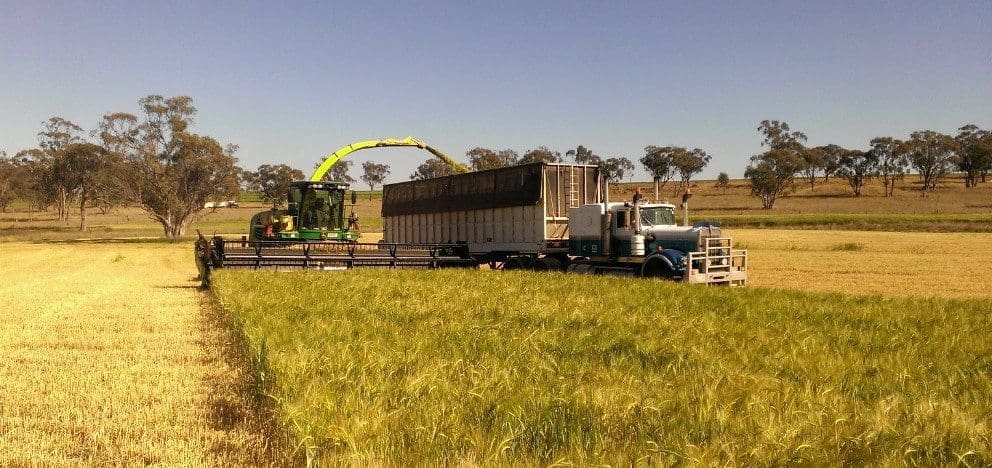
column 315, row 212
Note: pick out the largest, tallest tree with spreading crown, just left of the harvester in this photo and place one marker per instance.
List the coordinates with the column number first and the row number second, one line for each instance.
column 169, row 171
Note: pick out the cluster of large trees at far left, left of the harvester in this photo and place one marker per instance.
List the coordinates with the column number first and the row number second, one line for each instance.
column 151, row 159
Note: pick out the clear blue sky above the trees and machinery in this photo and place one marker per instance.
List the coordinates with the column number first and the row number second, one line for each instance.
column 290, row 83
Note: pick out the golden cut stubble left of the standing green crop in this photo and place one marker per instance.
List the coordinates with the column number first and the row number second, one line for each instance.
column 109, row 359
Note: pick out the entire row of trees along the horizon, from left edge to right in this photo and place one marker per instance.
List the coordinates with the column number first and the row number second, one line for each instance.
column 152, row 159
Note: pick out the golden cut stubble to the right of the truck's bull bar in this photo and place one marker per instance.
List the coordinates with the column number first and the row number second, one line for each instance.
column 947, row 265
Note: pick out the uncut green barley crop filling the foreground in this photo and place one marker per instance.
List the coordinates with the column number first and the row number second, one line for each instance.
column 485, row 367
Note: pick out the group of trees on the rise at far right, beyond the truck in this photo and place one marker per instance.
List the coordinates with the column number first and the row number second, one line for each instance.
column 933, row 155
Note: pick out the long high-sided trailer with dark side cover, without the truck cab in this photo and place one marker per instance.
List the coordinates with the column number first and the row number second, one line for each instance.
column 518, row 209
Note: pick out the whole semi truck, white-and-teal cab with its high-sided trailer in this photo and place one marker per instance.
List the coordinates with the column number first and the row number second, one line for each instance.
column 546, row 216
